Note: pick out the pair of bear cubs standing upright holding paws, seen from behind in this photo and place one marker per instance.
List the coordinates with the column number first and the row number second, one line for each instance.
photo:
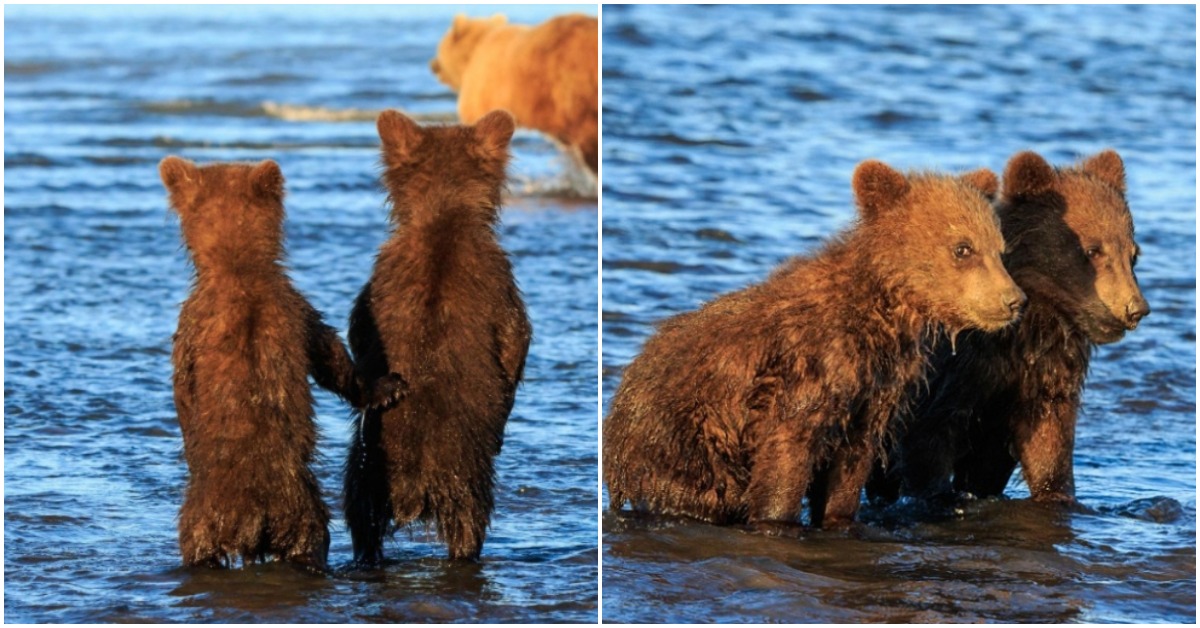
column 440, row 338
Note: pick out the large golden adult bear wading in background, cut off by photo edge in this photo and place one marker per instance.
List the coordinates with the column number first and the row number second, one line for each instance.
column 545, row 76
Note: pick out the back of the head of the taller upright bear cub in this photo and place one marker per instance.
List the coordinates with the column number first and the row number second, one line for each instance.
column 441, row 169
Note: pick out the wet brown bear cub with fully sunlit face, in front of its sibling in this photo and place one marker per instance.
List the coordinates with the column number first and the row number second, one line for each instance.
column 736, row 412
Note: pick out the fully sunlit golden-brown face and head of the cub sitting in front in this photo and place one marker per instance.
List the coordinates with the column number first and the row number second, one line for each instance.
column 935, row 241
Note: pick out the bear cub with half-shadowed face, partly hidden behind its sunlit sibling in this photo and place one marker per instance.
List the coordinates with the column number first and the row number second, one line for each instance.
column 1012, row 397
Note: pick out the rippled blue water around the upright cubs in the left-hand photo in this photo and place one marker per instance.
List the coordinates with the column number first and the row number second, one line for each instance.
column 94, row 277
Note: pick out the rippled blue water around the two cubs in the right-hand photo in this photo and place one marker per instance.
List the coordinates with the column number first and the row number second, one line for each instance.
column 730, row 135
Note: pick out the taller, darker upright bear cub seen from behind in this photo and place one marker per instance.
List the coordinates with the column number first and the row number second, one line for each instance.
column 442, row 307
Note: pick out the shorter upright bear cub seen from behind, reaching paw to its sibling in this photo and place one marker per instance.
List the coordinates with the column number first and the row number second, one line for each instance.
column 247, row 344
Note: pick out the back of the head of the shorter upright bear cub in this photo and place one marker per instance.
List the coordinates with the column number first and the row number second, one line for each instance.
column 231, row 214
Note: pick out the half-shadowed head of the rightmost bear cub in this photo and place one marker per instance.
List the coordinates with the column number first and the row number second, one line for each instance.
column 1072, row 242
